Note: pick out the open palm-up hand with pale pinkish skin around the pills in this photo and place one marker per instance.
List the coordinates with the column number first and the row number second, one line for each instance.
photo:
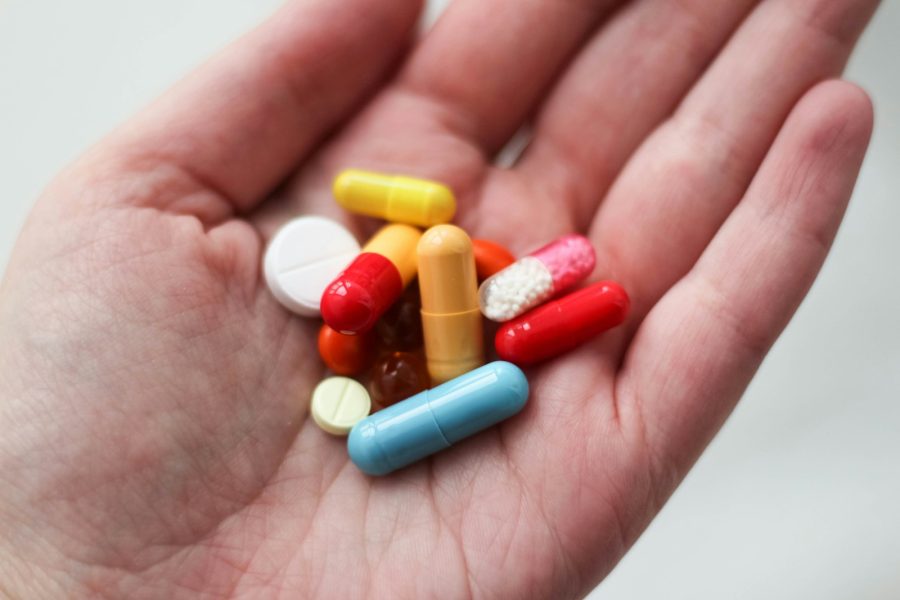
column 153, row 396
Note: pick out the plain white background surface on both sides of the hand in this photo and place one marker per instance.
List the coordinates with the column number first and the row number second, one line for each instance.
column 796, row 498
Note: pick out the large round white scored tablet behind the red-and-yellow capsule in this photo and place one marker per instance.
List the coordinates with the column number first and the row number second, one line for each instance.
column 303, row 258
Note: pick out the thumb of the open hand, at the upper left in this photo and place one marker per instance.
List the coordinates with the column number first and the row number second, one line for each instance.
column 238, row 125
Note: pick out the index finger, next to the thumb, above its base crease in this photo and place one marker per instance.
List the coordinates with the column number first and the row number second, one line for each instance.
column 486, row 64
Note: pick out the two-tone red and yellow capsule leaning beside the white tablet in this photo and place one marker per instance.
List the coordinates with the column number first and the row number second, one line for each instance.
column 375, row 280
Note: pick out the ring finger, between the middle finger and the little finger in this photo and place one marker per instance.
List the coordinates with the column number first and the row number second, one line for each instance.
column 681, row 185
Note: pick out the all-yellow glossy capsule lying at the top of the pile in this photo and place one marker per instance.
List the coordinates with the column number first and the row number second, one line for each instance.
column 394, row 198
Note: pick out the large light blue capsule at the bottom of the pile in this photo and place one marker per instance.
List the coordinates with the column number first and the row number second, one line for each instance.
column 438, row 418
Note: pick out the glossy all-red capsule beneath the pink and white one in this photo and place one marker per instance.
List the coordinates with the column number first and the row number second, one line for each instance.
column 563, row 324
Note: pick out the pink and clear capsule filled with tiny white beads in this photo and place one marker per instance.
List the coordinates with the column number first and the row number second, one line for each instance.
column 535, row 278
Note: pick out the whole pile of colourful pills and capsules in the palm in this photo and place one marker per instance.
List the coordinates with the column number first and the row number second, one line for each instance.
column 410, row 374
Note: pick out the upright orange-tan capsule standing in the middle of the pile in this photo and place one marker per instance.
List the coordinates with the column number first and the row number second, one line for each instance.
column 451, row 321
